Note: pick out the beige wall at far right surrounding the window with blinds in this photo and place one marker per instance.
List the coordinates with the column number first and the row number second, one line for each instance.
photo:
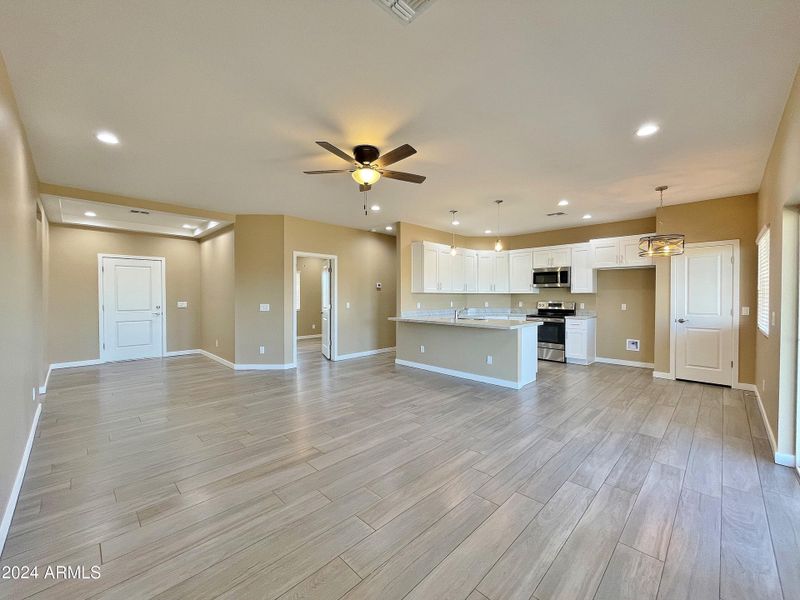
column 777, row 200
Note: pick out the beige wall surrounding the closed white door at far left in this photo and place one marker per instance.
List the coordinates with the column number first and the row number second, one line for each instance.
column 73, row 299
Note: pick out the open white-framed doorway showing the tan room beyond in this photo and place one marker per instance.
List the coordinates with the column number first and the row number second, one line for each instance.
column 314, row 302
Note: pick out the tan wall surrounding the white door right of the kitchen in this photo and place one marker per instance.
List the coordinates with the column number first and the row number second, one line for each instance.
column 712, row 220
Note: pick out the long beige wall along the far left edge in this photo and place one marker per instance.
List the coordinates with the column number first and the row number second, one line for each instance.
column 22, row 316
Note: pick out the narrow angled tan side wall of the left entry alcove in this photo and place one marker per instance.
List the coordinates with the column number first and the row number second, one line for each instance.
column 217, row 287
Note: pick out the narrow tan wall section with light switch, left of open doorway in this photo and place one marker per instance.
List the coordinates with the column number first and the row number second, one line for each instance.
column 259, row 279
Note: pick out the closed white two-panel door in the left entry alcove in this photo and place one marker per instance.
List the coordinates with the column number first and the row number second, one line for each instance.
column 132, row 308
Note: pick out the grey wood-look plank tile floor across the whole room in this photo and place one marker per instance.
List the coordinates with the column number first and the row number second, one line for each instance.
column 363, row 480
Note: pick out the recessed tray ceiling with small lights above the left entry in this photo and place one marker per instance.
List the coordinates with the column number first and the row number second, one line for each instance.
column 112, row 216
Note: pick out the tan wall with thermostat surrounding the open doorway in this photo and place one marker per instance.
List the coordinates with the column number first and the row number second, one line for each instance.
column 364, row 259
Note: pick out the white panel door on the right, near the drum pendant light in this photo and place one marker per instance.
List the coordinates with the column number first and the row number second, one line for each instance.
column 704, row 314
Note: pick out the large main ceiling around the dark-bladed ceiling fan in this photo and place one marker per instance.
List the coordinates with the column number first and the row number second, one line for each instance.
column 218, row 104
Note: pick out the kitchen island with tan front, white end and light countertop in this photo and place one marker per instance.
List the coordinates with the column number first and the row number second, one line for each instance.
column 499, row 352
